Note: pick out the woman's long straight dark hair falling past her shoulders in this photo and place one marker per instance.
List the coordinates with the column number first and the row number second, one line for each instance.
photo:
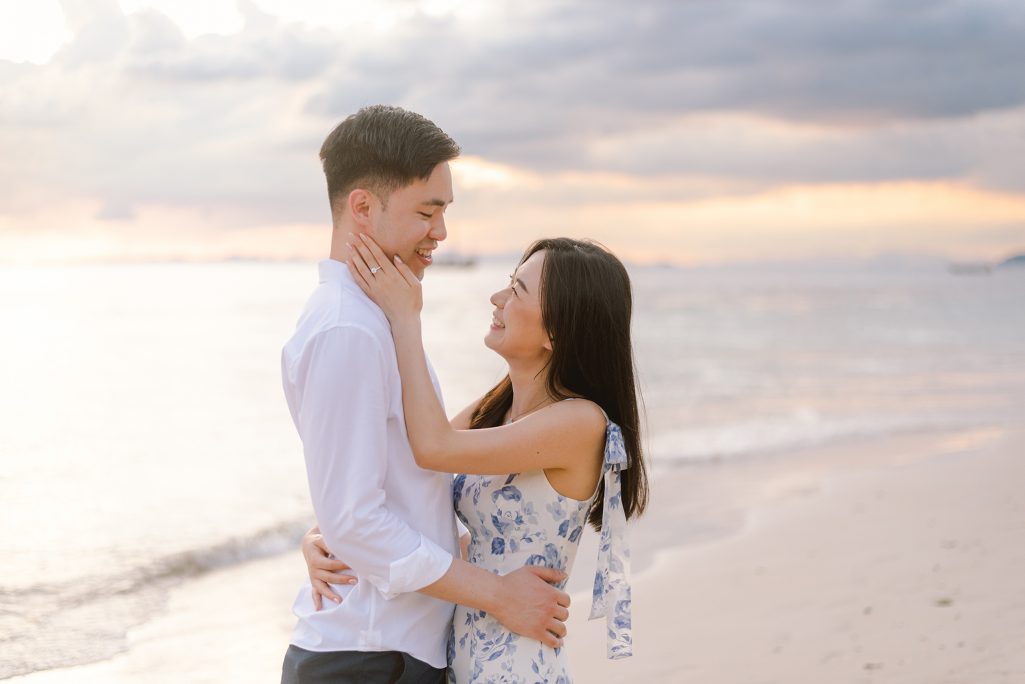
column 586, row 306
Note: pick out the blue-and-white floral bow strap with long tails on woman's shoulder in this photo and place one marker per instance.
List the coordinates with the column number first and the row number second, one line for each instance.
column 612, row 585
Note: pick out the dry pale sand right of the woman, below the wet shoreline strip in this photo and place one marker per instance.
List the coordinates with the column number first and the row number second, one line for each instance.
column 908, row 573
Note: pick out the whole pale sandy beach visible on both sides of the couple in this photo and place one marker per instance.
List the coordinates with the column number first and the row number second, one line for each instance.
column 892, row 560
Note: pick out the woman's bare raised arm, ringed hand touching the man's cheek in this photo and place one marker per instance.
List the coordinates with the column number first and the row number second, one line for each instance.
column 560, row 436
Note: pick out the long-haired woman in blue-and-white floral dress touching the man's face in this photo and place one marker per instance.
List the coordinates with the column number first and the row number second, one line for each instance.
column 554, row 446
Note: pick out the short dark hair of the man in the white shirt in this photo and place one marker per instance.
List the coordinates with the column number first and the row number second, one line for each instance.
column 383, row 149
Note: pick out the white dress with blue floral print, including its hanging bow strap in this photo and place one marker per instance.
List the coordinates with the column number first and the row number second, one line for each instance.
column 517, row 520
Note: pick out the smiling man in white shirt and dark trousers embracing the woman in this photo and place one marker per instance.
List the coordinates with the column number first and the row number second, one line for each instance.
column 388, row 176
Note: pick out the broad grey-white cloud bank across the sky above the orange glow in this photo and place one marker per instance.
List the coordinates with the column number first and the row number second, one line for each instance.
column 655, row 102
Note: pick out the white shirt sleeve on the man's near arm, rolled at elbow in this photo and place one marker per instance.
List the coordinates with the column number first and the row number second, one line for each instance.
column 344, row 425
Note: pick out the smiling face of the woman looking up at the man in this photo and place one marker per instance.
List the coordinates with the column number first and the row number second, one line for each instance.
column 517, row 330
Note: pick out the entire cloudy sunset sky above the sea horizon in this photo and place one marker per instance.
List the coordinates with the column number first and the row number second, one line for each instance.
column 684, row 132
